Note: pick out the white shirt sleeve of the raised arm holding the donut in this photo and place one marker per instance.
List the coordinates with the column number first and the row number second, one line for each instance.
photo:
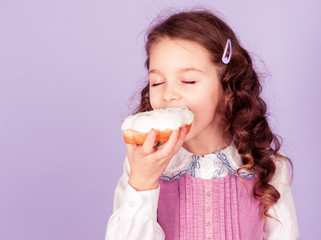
column 134, row 213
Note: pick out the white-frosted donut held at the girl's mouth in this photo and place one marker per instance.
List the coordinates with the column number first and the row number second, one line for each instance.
column 135, row 127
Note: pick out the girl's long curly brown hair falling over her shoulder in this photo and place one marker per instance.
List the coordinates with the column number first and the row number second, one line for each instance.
column 245, row 112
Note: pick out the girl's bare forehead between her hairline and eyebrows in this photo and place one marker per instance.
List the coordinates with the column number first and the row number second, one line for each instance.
column 172, row 54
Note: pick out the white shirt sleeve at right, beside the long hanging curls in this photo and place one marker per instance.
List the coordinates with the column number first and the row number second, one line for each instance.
column 284, row 209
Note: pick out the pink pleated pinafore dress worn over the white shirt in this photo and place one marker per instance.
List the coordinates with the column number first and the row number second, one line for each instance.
column 191, row 208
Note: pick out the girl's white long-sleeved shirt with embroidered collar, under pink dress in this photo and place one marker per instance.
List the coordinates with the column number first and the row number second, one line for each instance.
column 135, row 212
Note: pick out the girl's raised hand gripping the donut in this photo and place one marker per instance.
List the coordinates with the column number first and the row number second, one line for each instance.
column 147, row 163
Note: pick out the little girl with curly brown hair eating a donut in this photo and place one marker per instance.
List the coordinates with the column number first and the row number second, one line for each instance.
column 225, row 179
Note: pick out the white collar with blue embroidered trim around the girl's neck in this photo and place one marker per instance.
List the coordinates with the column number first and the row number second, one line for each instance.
column 211, row 166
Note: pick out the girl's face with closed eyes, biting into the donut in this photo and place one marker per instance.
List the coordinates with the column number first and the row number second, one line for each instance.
column 181, row 74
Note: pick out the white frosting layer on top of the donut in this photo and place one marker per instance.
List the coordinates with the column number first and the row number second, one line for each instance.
column 160, row 119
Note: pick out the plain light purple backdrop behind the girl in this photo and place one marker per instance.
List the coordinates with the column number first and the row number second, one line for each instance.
column 68, row 71
